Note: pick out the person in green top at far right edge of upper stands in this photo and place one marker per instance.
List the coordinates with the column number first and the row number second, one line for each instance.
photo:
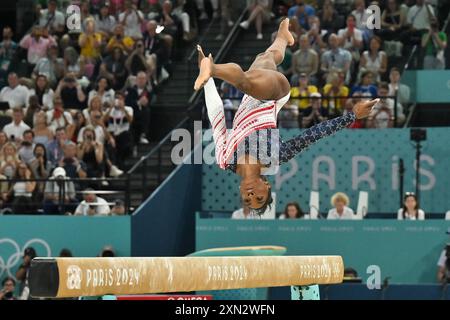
column 434, row 43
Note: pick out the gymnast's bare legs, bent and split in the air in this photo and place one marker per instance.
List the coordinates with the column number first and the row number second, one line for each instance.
column 261, row 81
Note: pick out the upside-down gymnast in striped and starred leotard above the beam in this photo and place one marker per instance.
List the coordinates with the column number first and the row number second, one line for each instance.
column 266, row 92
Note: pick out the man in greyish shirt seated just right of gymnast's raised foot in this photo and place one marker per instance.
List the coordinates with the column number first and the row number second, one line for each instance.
column 305, row 60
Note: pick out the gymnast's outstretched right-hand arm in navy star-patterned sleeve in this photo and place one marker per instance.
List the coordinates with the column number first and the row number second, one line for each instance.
column 294, row 146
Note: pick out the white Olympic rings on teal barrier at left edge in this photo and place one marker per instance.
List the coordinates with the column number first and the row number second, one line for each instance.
column 14, row 259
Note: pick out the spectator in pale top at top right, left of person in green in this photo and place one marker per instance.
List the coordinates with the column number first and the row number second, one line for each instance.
column 418, row 20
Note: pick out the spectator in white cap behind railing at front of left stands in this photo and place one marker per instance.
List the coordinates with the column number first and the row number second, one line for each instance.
column 59, row 194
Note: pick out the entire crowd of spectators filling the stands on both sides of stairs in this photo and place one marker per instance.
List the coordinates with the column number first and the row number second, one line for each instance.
column 75, row 104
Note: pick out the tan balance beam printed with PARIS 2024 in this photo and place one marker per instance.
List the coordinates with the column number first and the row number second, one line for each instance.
column 74, row 277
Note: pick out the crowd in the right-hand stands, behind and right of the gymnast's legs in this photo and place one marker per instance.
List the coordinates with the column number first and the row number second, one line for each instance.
column 340, row 58
